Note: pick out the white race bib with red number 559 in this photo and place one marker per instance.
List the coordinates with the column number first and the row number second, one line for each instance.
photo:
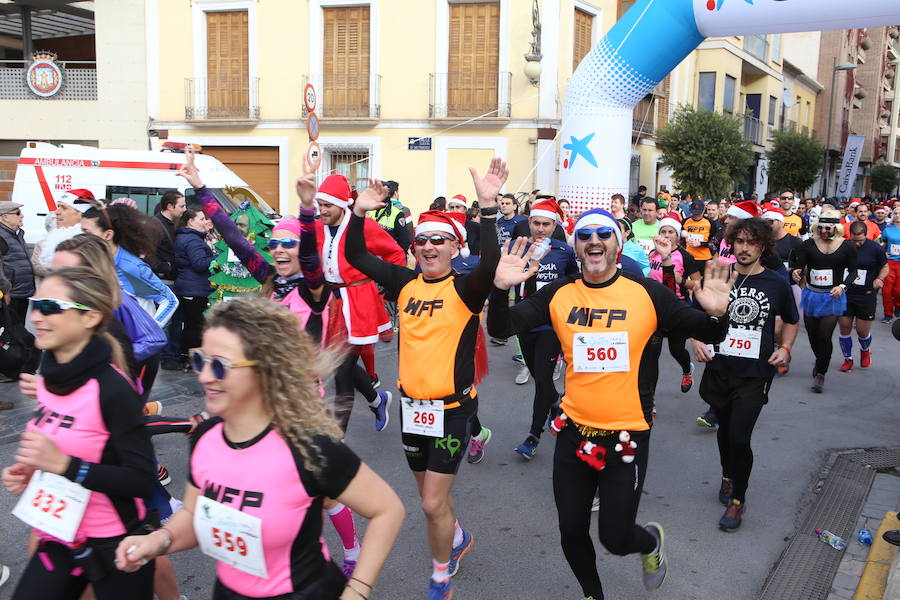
column 231, row 536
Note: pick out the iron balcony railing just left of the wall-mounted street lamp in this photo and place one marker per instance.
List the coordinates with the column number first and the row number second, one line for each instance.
column 460, row 95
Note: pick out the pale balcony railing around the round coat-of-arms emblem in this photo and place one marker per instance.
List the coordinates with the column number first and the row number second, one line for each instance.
column 79, row 81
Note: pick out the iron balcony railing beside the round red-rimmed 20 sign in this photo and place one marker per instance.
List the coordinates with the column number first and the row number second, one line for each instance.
column 346, row 96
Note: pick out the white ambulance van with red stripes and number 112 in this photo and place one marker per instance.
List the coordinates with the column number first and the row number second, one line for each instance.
column 46, row 171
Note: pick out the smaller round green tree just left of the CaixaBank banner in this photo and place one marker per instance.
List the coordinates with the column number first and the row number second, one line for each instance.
column 794, row 161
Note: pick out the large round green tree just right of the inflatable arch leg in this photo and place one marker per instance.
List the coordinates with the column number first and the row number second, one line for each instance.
column 705, row 150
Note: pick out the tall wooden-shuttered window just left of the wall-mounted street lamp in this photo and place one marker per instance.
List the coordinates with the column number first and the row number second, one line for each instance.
column 473, row 67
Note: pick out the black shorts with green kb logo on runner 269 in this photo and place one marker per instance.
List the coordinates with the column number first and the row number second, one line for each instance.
column 442, row 455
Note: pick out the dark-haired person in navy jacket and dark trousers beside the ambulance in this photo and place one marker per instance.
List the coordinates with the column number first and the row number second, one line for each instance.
column 192, row 259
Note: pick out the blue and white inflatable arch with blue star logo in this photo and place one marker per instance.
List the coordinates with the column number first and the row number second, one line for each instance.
column 624, row 66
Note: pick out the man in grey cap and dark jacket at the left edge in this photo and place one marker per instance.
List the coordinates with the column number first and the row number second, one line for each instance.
column 16, row 263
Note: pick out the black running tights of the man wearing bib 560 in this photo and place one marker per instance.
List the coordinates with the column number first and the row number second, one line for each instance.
column 575, row 484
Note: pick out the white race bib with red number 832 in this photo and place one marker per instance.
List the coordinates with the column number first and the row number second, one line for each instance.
column 53, row 504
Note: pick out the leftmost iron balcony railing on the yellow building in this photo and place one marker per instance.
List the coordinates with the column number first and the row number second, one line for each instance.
column 221, row 98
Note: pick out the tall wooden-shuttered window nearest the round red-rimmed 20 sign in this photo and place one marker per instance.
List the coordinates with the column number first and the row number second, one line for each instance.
column 346, row 62
